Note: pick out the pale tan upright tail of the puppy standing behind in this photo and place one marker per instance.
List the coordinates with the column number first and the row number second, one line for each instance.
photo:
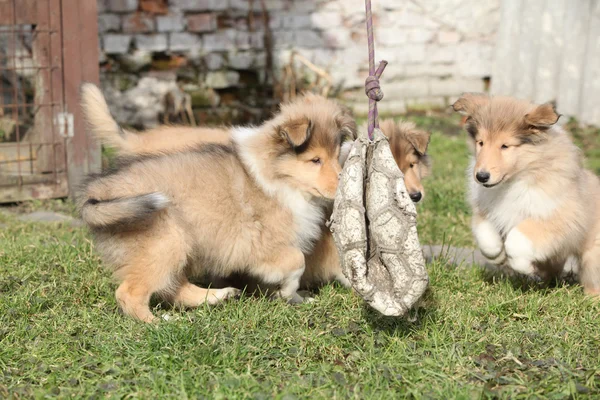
column 101, row 123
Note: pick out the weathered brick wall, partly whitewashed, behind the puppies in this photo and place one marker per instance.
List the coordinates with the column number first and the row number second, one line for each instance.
column 215, row 50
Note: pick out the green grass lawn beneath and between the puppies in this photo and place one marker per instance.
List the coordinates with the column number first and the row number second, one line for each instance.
column 475, row 336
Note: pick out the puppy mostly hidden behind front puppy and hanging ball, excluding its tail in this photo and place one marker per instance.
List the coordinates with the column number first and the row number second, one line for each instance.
column 408, row 144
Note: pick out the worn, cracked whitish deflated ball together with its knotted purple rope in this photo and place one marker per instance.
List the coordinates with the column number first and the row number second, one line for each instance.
column 374, row 221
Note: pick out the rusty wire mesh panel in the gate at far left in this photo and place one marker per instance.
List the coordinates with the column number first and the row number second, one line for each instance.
column 32, row 151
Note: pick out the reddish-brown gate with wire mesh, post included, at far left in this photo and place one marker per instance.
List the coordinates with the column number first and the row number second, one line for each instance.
column 47, row 49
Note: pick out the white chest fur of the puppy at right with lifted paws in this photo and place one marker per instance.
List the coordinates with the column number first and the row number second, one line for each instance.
column 512, row 202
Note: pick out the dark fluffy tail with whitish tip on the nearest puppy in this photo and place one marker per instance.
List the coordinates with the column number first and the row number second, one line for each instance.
column 103, row 214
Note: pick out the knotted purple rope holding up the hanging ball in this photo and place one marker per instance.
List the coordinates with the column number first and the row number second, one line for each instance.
column 372, row 88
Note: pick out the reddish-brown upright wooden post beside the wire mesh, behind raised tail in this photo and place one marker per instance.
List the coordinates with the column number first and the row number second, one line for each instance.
column 80, row 55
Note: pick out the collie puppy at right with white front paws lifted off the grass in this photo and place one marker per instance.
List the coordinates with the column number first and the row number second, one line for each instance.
column 535, row 207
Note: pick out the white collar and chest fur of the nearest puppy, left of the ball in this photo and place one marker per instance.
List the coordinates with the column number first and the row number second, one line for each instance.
column 307, row 216
